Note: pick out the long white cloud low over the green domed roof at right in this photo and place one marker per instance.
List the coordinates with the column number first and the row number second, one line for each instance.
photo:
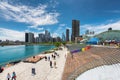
column 102, row 27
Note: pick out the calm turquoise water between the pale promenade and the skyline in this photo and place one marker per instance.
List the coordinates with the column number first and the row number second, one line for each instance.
column 13, row 53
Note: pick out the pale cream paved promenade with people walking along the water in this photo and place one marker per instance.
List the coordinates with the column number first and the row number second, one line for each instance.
column 42, row 68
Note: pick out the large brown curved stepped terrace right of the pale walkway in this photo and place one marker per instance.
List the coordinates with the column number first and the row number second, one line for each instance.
column 78, row 63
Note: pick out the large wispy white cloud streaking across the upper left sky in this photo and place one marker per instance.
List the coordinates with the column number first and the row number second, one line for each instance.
column 34, row 16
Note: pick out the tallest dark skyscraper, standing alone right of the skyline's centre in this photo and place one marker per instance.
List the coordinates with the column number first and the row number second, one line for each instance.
column 75, row 29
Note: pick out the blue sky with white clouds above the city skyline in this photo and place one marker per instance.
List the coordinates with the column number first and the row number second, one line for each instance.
column 20, row 16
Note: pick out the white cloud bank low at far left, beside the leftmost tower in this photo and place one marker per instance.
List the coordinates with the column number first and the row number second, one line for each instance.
column 11, row 34
